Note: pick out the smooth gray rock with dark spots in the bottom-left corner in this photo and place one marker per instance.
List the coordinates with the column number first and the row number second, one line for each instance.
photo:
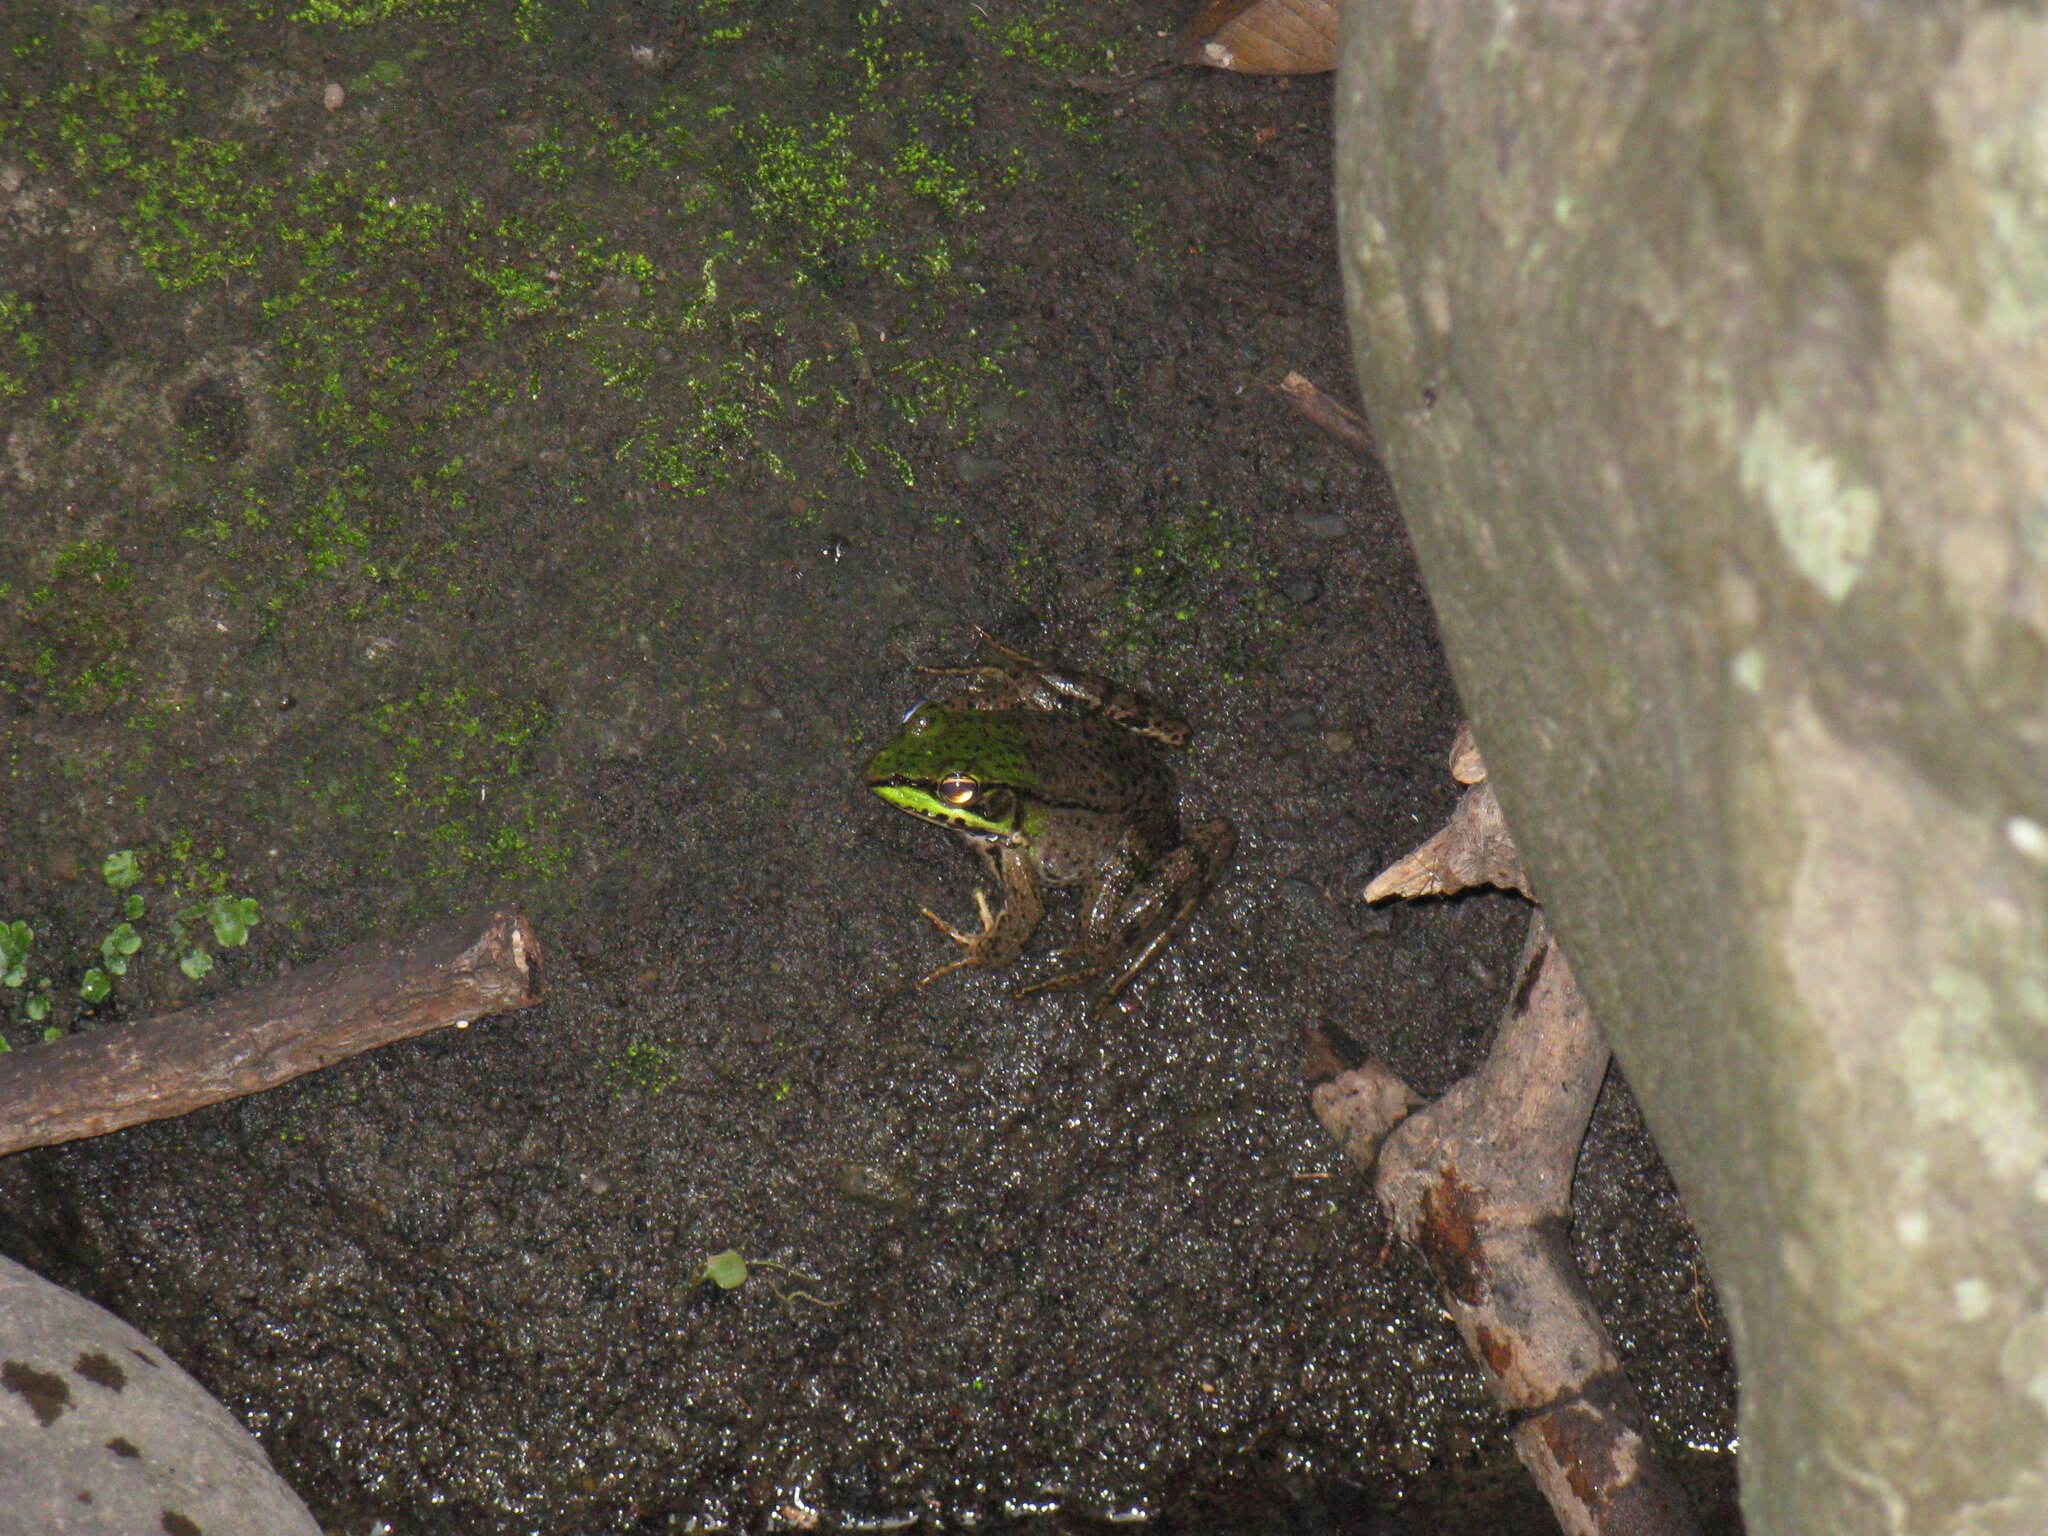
column 103, row 1437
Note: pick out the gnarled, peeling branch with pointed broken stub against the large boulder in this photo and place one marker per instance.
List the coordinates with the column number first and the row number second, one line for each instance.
column 1480, row 1185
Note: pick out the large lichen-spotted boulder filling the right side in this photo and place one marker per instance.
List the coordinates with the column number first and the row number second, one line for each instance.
column 1709, row 353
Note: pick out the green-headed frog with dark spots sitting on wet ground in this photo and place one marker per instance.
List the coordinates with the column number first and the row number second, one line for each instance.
column 1056, row 779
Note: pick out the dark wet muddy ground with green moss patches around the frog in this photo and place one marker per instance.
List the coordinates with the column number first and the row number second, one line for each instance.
column 468, row 454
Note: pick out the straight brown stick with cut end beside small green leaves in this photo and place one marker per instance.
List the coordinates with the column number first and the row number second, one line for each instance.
column 325, row 1013
